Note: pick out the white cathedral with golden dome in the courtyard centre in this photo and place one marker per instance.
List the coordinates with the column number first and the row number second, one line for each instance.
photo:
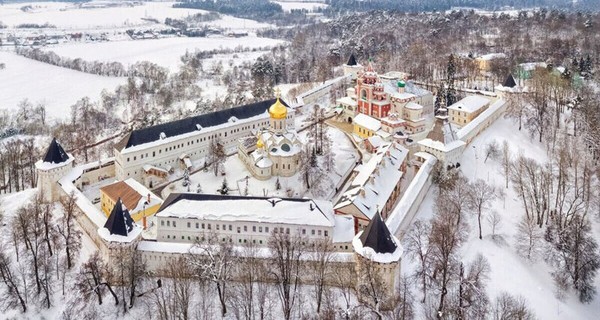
column 272, row 151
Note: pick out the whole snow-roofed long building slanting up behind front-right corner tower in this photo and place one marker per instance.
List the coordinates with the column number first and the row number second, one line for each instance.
column 375, row 186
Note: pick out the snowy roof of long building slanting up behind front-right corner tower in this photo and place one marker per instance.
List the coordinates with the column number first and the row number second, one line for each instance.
column 377, row 178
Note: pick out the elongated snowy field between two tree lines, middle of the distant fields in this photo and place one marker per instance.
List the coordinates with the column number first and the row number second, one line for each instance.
column 165, row 52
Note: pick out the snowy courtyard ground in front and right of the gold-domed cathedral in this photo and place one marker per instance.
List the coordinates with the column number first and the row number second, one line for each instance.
column 236, row 173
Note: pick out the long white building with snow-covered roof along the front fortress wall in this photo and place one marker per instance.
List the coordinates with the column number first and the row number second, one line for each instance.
column 192, row 217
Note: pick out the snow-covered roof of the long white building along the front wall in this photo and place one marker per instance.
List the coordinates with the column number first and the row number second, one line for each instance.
column 255, row 209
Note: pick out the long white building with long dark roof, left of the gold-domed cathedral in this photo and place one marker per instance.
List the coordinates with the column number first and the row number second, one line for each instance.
column 178, row 143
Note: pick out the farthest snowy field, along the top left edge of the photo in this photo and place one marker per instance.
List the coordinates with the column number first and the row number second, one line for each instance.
column 122, row 15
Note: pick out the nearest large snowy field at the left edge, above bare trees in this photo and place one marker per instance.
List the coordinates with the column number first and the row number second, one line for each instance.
column 58, row 88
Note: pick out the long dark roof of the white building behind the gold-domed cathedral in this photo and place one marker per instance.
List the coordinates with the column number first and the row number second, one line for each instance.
column 195, row 123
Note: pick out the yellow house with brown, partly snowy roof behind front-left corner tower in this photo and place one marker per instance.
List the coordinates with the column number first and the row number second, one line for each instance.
column 139, row 201
